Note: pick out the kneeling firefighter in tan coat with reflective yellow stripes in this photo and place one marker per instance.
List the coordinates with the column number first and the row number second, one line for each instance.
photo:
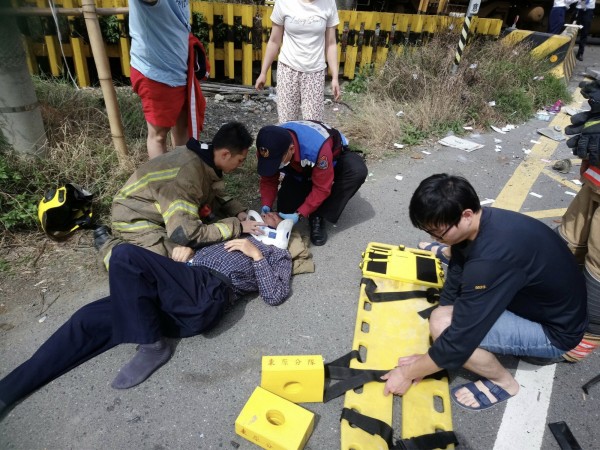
column 179, row 198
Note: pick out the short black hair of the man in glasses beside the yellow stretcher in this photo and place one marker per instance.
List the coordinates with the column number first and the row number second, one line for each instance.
column 440, row 200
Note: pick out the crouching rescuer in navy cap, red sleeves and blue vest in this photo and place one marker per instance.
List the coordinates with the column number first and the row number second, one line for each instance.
column 321, row 174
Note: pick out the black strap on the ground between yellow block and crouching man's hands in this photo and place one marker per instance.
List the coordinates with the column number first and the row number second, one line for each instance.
column 350, row 378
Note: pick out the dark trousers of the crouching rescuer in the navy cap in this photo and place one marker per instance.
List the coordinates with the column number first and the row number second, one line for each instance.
column 350, row 173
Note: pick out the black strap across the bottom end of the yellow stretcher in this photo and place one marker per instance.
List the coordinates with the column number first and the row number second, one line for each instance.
column 440, row 439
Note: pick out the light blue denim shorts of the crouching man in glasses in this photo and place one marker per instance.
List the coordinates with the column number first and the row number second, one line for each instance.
column 514, row 335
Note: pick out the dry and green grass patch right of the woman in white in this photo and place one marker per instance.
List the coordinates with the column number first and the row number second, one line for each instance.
column 433, row 100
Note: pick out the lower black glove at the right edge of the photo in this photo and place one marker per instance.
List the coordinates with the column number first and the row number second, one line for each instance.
column 585, row 143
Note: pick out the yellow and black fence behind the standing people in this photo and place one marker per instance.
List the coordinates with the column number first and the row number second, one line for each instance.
column 236, row 35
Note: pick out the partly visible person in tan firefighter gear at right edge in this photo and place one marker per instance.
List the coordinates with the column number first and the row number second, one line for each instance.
column 580, row 226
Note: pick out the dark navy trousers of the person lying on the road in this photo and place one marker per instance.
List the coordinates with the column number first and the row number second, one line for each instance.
column 150, row 296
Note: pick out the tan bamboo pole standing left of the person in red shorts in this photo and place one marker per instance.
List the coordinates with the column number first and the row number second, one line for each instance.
column 105, row 77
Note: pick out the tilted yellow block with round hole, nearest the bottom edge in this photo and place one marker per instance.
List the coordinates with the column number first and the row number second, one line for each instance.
column 272, row 422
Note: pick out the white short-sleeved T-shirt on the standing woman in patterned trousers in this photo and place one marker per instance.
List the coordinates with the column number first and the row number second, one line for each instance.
column 304, row 25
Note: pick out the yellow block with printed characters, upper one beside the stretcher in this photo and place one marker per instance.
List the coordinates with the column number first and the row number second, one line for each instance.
column 297, row 378
